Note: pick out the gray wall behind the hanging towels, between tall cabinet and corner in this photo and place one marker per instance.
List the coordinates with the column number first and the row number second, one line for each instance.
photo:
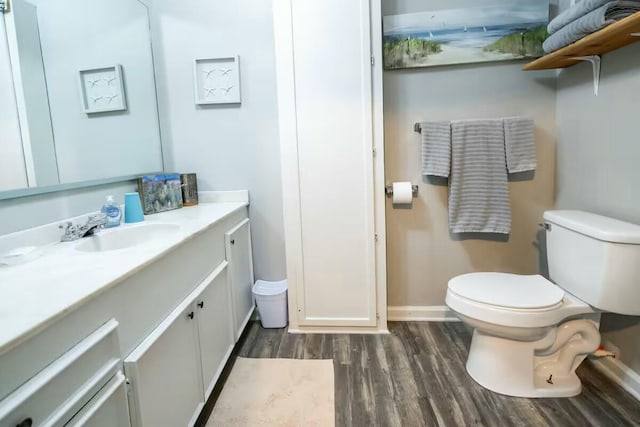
column 421, row 255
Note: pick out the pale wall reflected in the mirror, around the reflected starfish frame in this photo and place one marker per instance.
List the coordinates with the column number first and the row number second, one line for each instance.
column 80, row 35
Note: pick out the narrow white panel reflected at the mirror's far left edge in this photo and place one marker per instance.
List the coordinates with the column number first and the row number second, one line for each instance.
column 13, row 173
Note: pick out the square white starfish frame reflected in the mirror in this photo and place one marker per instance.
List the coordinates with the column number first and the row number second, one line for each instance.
column 102, row 89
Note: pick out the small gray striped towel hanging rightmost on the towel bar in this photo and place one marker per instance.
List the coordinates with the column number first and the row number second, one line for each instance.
column 520, row 144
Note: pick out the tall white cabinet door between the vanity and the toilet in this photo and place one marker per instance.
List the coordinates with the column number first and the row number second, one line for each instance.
column 326, row 143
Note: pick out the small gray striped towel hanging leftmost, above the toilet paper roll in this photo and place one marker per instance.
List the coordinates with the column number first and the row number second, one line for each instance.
column 436, row 148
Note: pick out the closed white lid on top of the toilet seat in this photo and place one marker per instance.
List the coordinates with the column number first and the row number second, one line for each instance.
column 507, row 290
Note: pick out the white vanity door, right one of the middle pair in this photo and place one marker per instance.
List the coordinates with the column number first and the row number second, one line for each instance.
column 214, row 316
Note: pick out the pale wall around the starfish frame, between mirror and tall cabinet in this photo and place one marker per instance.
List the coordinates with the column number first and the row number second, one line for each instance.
column 228, row 146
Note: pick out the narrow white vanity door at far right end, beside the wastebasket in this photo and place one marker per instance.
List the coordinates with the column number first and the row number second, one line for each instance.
column 238, row 248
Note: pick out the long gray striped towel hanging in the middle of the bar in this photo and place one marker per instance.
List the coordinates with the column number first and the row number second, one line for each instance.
column 478, row 188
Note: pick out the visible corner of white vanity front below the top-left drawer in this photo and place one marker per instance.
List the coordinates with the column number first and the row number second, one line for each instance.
column 107, row 409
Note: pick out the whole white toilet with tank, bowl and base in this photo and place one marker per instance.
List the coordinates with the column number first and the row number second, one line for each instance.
column 530, row 334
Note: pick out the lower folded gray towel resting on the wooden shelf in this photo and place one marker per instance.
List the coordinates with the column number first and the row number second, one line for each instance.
column 590, row 23
